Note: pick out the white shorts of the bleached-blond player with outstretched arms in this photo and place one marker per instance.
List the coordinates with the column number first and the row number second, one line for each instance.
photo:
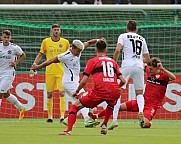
column 70, row 88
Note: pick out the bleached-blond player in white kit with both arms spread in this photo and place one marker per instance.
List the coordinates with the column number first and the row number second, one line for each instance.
column 71, row 63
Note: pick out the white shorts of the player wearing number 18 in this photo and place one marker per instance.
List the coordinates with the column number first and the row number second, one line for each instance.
column 136, row 73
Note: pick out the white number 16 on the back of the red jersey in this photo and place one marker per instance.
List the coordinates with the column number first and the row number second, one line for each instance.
column 108, row 69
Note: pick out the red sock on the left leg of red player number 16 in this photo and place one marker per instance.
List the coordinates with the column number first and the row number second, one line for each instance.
column 72, row 117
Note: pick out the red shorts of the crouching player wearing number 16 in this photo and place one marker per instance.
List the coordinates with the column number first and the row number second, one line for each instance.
column 90, row 100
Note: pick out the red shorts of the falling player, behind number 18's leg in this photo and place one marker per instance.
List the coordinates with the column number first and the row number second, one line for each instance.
column 149, row 111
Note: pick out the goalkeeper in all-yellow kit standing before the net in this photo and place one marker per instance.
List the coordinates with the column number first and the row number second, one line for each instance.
column 51, row 47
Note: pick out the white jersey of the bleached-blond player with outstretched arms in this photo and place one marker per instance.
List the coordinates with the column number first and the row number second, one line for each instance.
column 71, row 65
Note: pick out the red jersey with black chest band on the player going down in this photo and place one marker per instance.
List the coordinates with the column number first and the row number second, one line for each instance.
column 155, row 90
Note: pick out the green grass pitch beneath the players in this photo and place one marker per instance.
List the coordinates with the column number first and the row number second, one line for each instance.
column 39, row 132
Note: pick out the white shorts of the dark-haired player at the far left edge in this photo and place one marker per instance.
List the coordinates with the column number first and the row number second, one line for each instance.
column 6, row 83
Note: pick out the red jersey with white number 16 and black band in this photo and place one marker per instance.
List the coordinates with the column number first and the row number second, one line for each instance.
column 105, row 72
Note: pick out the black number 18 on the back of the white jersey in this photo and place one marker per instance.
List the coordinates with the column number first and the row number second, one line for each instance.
column 137, row 45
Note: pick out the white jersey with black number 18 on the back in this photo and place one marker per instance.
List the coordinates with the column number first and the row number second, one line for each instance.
column 134, row 46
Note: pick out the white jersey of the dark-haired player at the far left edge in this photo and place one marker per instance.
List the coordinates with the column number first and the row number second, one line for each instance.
column 8, row 54
